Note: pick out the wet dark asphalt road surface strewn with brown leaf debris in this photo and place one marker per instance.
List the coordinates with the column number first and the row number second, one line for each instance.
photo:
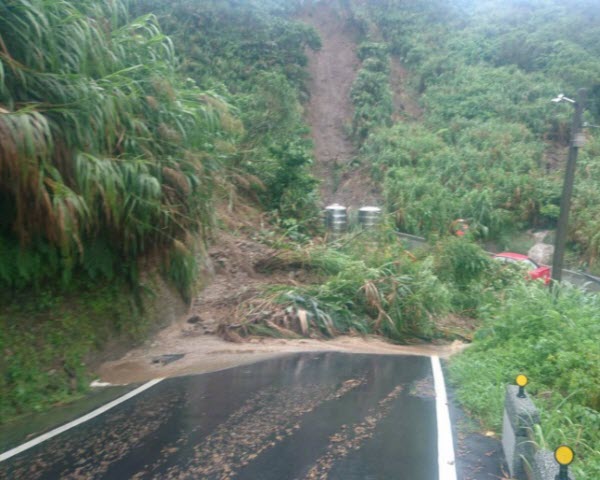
column 304, row 416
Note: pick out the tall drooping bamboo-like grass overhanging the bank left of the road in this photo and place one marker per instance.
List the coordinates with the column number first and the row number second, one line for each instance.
column 98, row 134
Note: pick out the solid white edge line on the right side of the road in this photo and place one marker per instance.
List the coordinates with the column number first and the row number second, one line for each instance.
column 446, row 460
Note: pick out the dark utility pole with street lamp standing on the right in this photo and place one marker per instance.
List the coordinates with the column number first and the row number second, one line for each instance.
column 565, row 201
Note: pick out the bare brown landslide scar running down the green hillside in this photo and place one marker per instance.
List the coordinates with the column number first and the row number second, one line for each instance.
column 333, row 70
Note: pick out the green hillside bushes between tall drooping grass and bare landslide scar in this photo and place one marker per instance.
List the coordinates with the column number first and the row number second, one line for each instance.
column 254, row 55
